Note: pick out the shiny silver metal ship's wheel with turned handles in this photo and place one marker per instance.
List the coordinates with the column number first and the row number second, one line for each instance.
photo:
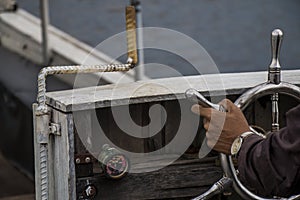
column 273, row 88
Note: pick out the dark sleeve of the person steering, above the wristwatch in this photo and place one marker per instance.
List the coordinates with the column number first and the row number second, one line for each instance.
column 271, row 166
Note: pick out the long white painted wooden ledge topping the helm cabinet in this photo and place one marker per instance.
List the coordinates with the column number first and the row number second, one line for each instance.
column 160, row 89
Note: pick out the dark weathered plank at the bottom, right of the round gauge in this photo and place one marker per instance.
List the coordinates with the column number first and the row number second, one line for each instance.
column 179, row 180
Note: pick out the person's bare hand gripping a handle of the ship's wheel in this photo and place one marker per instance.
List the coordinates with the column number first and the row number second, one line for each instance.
column 222, row 128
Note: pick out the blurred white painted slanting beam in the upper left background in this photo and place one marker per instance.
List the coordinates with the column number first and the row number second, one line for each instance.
column 21, row 33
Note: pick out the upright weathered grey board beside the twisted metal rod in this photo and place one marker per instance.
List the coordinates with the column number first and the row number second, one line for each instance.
column 61, row 159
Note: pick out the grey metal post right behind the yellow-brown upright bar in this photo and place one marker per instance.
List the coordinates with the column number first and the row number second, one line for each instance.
column 139, row 71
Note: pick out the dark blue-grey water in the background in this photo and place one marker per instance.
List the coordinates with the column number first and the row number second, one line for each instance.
column 235, row 33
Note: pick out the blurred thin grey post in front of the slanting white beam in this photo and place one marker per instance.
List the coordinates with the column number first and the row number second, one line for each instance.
column 44, row 12
